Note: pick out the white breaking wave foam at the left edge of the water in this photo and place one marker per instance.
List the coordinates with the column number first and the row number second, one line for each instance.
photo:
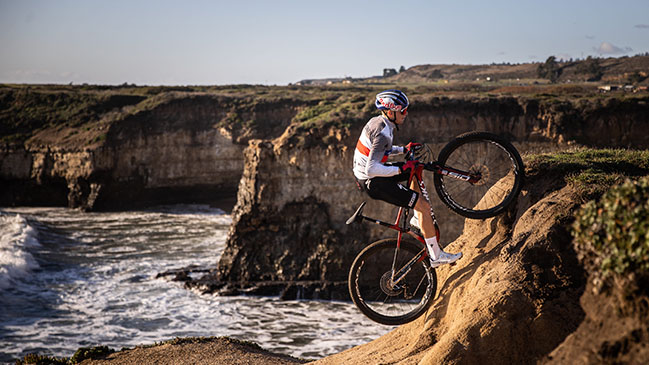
column 16, row 238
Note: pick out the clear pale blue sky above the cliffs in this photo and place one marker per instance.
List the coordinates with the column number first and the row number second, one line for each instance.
column 277, row 42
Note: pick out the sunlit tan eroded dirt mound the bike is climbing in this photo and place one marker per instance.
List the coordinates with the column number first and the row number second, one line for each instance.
column 512, row 298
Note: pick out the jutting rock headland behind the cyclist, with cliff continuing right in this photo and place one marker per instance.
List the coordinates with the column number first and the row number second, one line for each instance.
column 294, row 197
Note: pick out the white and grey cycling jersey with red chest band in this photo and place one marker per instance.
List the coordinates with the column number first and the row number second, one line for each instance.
column 373, row 148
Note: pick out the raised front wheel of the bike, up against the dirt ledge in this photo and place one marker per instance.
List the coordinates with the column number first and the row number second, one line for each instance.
column 495, row 160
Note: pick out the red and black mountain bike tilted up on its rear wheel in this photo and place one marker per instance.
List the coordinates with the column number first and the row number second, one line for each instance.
column 477, row 175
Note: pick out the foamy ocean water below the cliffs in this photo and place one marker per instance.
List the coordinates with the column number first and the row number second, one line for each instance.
column 71, row 279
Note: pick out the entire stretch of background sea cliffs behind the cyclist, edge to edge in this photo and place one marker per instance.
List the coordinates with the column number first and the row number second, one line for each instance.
column 288, row 155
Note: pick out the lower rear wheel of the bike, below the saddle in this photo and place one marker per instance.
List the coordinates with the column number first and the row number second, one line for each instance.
column 372, row 287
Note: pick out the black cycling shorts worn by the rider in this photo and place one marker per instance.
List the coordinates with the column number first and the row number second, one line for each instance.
column 390, row 190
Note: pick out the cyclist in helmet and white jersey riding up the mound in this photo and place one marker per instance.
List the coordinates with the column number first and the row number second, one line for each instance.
column 382, row 181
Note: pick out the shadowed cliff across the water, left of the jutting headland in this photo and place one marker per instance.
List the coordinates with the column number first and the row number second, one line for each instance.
column 185, row 148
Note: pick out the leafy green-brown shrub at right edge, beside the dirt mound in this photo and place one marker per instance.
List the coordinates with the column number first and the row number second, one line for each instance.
column 616, row 228
